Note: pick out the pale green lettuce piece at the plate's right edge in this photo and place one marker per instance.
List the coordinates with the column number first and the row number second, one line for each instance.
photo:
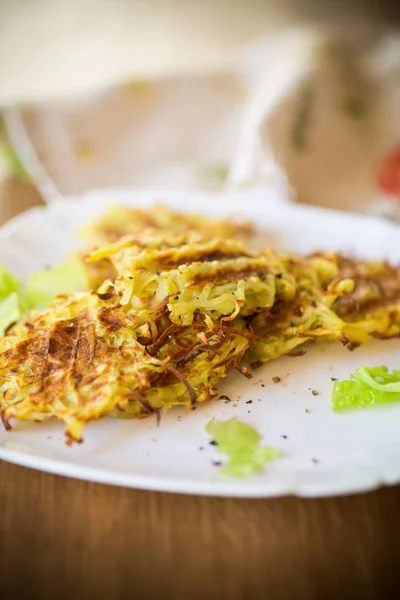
column 366, row 387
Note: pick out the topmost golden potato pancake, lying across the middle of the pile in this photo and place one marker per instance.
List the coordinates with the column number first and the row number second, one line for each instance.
column 218, row 278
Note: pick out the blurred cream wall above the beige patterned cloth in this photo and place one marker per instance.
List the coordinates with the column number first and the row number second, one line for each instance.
column 53, row 47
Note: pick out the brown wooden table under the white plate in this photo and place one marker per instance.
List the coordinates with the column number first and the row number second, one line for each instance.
column 61, row 538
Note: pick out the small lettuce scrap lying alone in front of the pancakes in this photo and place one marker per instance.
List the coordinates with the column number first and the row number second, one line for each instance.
column 240, row 442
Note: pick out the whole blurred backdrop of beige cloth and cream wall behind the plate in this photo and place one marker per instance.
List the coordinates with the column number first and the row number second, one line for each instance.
column 189, row 93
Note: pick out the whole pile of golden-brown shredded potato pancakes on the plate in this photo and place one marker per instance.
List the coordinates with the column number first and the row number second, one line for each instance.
column 179, row 302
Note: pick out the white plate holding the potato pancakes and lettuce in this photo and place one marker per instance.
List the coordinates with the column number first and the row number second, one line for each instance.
column 324, row 453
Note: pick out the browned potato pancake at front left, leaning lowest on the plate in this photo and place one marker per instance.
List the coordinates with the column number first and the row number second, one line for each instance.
column 81, row 360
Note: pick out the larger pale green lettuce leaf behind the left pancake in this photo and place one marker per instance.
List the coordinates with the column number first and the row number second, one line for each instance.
column 41, row 288
